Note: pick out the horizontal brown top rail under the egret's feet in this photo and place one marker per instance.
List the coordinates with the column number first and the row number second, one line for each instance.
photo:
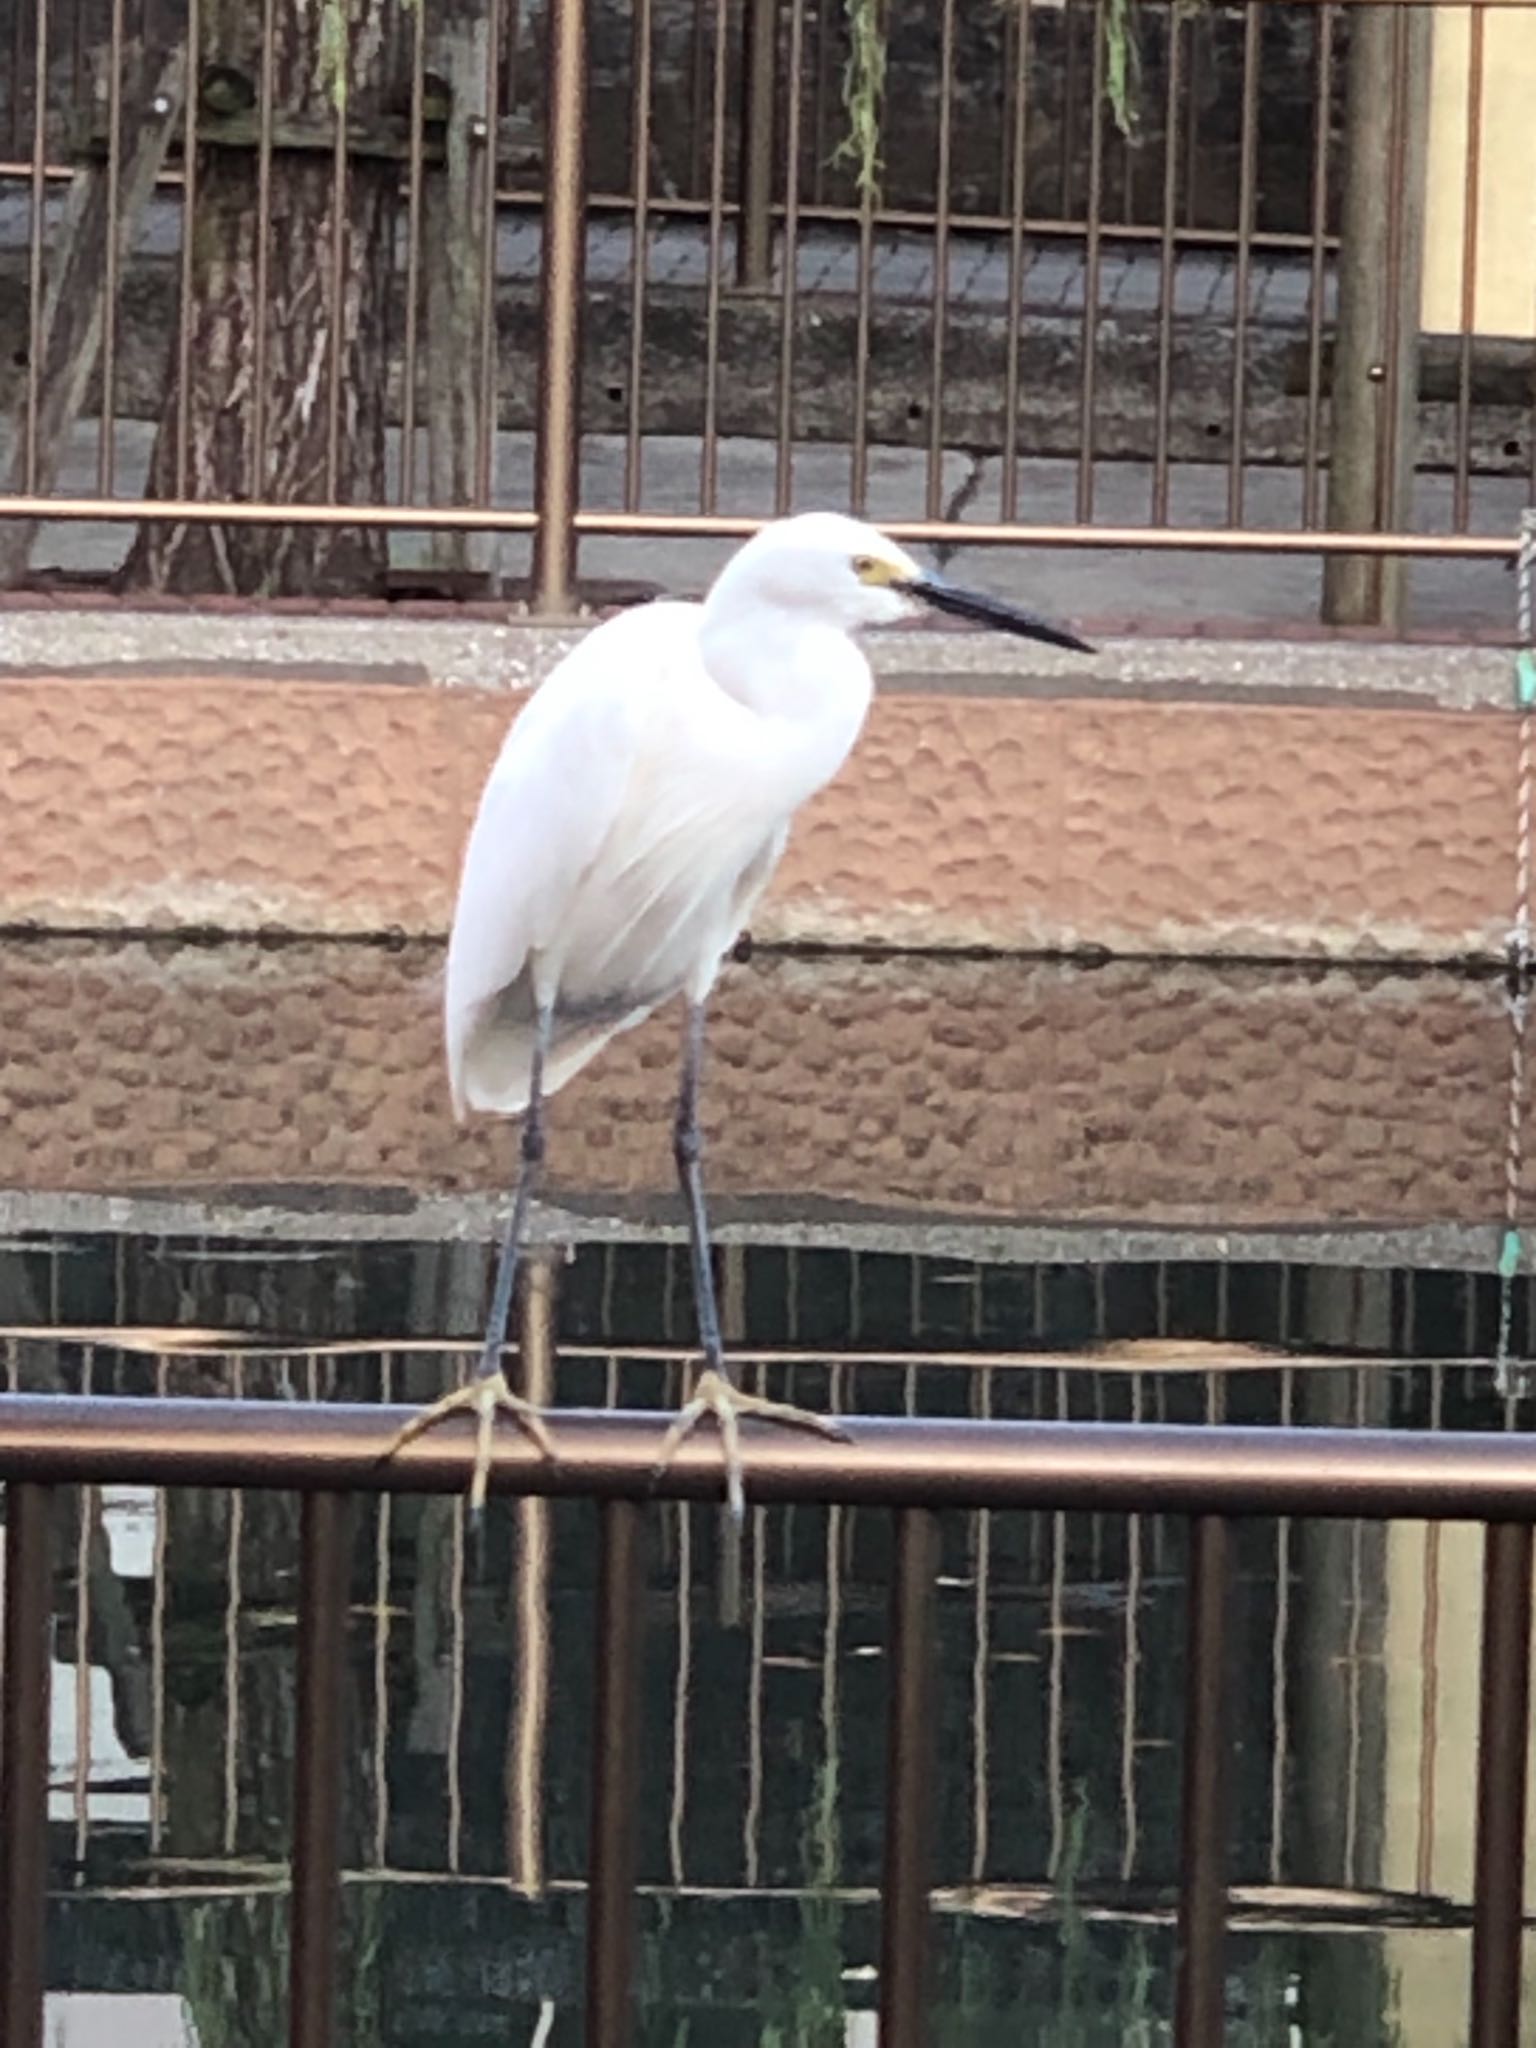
column 892, row 1461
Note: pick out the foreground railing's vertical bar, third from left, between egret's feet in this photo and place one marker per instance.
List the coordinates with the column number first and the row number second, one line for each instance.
column 615, row 1781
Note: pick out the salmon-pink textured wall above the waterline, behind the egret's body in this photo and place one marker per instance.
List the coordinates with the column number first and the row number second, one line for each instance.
column 1019, row 814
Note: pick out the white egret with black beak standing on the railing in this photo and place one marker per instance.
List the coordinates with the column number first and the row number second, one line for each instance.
column 628, row 828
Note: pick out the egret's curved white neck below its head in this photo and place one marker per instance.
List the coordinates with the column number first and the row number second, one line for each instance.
column 785, row 669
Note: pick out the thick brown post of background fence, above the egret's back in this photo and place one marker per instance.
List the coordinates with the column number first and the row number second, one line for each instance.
column 562, row 284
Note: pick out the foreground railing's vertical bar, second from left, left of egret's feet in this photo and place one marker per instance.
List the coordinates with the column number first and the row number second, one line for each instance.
column 318, row 1773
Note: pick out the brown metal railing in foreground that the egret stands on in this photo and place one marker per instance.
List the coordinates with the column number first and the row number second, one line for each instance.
column 914, row 1469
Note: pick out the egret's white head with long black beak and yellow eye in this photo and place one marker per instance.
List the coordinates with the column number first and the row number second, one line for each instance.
column 835, row 570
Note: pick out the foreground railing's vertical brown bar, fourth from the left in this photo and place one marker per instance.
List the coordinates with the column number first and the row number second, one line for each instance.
column 906, row 1934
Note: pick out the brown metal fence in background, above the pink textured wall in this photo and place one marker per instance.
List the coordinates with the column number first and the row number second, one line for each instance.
column 1037, row 278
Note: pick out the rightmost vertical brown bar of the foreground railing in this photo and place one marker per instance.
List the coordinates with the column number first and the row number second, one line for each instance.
column 1504, row 1721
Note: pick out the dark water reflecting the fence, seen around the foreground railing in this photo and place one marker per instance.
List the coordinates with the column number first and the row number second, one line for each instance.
column 470, row 1670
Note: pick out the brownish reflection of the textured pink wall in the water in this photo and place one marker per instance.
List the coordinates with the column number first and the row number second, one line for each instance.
column 988, row 1101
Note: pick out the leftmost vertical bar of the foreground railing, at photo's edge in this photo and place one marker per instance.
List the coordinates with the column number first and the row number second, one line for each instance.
column 24, row 1764
